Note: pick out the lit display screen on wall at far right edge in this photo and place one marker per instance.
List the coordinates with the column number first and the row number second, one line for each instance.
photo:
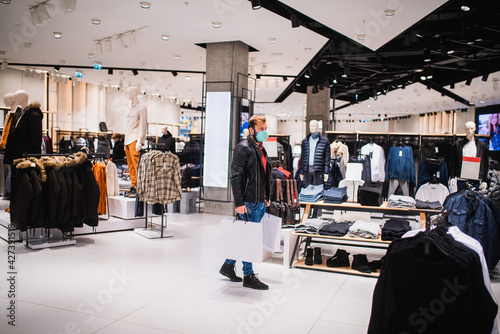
column 488, row 123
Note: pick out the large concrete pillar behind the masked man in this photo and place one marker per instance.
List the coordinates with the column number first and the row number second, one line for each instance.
column 226, row 62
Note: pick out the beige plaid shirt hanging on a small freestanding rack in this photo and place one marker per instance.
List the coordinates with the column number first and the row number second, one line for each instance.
column 159, row 178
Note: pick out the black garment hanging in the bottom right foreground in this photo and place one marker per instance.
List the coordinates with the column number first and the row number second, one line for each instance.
column 446, row 284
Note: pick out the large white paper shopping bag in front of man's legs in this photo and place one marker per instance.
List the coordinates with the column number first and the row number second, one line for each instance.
column 240, row 240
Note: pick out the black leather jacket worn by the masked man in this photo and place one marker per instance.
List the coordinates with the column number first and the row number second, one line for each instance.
column 249, row 180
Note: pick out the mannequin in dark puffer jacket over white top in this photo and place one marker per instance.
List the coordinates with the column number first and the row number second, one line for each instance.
column 315, row 157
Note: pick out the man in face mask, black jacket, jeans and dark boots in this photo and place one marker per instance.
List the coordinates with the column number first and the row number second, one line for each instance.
column 250, row 180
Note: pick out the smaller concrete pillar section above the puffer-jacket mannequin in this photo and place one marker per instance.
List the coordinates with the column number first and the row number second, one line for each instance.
column 318, row 108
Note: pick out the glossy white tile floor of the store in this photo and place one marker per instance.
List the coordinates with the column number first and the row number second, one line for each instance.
column 123, row 283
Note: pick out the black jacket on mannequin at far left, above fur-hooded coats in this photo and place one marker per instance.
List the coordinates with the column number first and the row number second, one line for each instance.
column 25, row 135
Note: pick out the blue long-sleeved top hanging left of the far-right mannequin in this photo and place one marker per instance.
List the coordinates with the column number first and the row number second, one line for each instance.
column 400, row 164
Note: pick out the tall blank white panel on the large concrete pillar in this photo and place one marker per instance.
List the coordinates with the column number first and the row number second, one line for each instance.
column 217, row 139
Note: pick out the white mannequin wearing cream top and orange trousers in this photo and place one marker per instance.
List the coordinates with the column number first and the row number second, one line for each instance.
column 135, row 136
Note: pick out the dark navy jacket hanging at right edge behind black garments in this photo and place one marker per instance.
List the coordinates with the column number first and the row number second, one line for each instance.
column 478, row 217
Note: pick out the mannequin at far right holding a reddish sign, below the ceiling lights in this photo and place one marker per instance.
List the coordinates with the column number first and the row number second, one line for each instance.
column 469, row 147
